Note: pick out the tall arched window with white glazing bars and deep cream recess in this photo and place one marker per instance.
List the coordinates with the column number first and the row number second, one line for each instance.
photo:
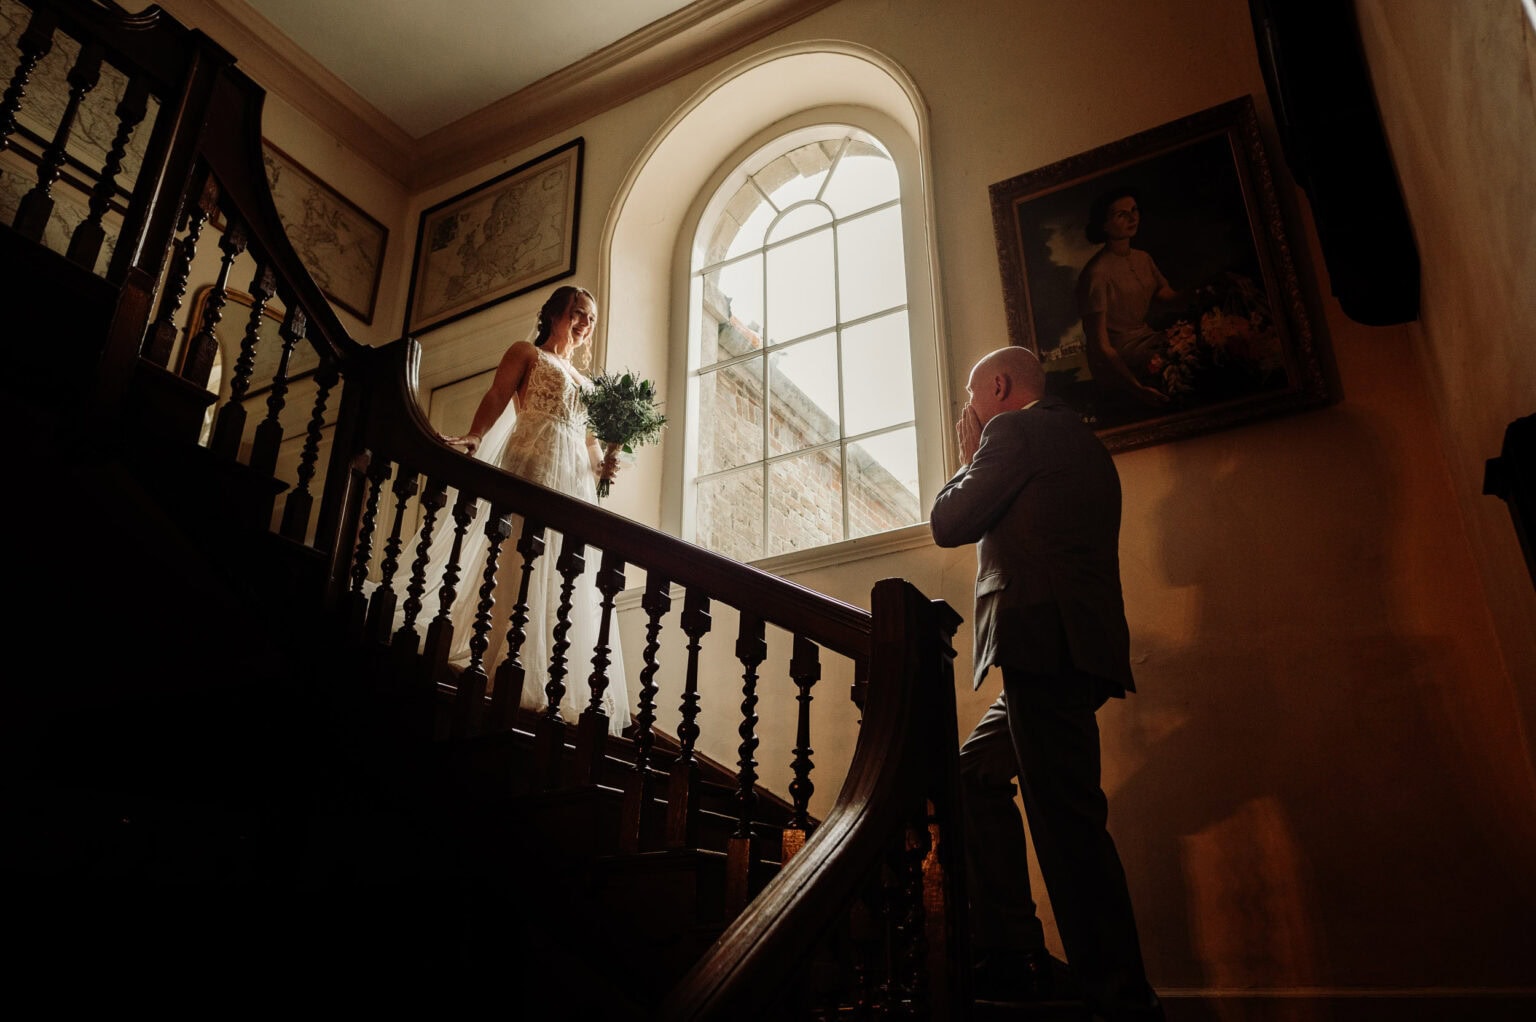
column 766, row 204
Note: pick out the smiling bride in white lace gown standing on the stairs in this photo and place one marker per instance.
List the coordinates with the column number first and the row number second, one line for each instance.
column 548, row 445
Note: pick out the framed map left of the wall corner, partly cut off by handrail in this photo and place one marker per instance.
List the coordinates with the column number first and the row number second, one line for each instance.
column 342, row 247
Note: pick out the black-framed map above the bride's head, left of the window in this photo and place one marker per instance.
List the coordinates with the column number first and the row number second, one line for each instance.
column 497, row 241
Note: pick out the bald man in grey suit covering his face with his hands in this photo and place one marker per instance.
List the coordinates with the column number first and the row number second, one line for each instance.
column 1039, row 496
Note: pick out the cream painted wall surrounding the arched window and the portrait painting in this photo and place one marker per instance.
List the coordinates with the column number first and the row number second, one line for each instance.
column 1323, row 781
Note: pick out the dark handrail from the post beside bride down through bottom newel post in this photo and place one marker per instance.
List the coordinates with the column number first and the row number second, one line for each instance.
column 905, row 763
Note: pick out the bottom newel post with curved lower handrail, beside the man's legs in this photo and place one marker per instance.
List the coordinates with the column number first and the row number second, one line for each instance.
column 902, row 775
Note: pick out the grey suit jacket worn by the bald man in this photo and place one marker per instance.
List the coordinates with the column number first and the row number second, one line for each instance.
column 1042, row 502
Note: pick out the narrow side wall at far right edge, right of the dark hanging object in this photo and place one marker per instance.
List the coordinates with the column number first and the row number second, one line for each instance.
column 1466, row 73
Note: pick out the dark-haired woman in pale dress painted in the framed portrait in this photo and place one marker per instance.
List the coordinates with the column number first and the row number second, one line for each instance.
column 1114, row 296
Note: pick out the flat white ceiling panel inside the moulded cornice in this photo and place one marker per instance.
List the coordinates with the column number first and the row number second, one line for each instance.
column 429, row 64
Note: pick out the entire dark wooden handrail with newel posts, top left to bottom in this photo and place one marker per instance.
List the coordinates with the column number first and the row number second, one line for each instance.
column 901, row 788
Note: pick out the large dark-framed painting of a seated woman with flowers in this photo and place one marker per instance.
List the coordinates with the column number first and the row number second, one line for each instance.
column 1154, row 279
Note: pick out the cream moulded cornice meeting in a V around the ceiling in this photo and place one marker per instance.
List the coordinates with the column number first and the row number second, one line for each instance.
column 640, row 62
